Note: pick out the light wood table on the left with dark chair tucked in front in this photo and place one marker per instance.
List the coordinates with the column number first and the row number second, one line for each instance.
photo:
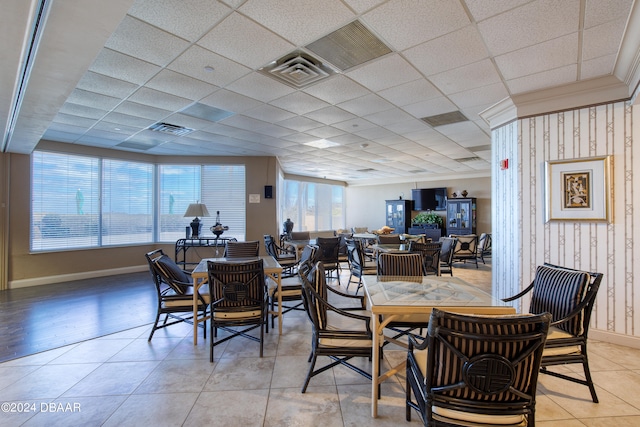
column 200, row 276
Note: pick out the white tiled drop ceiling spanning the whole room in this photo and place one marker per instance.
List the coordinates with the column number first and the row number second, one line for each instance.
column 105, row 73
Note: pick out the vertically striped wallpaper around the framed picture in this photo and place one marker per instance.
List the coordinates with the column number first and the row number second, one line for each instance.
column 523, row 239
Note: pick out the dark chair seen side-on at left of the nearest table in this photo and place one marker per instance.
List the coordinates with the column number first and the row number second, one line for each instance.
column 330, row 337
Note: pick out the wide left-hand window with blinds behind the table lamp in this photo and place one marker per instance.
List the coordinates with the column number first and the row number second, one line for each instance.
column 81, row 202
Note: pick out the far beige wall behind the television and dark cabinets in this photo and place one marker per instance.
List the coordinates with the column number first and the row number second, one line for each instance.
column 366, row 204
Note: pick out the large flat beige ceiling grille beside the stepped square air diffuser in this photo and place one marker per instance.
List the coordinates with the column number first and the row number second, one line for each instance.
column 349, row 46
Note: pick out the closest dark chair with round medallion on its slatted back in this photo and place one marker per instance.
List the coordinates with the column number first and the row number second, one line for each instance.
column 476, row 370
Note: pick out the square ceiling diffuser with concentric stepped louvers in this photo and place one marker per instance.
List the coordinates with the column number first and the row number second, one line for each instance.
column 297, row 69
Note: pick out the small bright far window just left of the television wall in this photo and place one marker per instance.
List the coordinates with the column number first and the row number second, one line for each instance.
column 313, row 206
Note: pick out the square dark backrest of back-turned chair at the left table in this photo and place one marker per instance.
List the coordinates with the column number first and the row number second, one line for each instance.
column 237, row 286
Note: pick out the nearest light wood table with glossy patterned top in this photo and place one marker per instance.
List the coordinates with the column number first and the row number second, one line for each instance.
column 411, row 299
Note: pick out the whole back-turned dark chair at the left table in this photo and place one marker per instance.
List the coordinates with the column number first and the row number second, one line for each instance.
column 239, row 300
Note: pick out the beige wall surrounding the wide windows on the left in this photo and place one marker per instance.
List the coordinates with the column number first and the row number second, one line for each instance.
column 25, row 269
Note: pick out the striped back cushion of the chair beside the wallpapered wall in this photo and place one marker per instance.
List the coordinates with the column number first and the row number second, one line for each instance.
column 558, row 291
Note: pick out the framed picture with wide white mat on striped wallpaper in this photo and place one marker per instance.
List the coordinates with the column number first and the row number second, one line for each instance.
column 578, row 189
